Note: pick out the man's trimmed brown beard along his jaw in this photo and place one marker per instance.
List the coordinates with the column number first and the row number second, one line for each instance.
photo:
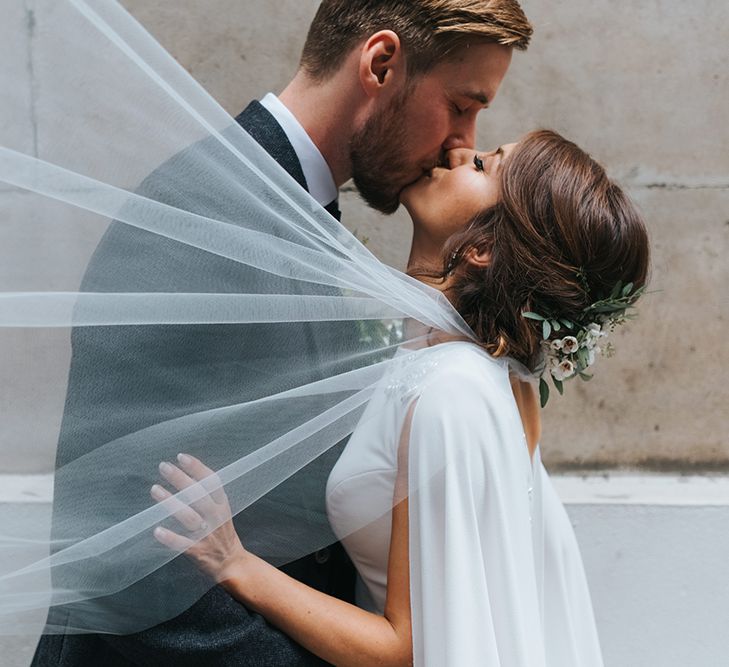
column 379, row 154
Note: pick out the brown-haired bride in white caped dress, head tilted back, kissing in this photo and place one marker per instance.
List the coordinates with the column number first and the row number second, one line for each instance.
column 465, row 555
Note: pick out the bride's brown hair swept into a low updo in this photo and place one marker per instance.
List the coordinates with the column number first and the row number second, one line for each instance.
column 560, row 239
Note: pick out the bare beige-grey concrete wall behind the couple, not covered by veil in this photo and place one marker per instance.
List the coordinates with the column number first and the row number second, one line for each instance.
column 642, row 86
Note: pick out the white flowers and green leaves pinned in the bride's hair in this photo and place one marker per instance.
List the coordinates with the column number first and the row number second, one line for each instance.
column 571, row 355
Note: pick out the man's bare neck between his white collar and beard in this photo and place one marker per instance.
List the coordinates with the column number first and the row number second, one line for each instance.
column 329, row 111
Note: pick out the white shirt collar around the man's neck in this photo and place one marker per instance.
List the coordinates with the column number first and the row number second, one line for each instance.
column 316, row 170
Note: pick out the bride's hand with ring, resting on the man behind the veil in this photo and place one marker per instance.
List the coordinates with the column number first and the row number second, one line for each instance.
column 220, row 551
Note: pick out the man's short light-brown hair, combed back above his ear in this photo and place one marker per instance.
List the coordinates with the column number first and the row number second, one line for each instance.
column 429, row 30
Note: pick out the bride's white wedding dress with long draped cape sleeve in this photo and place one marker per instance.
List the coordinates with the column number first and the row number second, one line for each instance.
column 496, row 574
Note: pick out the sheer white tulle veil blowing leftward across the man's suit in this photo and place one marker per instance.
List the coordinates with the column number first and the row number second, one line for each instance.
column 166, row 287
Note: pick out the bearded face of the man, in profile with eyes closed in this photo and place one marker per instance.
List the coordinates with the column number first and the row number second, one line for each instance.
column 432, row 114
